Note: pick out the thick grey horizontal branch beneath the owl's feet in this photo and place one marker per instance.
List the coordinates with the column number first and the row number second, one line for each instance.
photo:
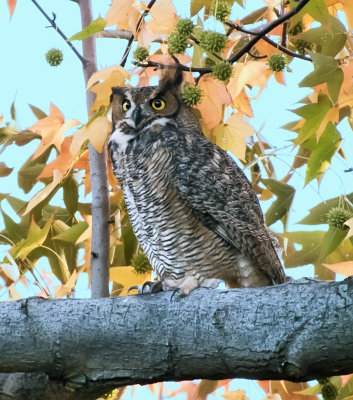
column 298, row 331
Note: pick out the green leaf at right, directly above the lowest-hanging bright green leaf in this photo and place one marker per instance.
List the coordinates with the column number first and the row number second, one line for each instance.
column 313, row 115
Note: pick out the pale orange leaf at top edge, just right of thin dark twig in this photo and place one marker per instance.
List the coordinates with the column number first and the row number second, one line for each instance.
column 164, row 17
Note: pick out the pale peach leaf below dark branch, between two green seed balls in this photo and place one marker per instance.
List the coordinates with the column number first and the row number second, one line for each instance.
column 253, row 73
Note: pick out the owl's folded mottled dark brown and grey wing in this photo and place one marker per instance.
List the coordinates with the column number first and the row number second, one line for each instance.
column 224, row 200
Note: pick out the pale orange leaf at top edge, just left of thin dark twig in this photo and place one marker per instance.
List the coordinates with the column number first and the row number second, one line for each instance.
column 123, row 13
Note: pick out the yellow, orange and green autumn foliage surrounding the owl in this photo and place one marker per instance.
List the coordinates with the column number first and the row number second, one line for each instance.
column 55, row 223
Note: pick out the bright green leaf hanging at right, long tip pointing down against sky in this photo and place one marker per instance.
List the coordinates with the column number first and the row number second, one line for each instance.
column 322, row 153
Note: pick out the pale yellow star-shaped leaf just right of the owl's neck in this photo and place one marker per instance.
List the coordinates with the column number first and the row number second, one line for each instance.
column 232, row 134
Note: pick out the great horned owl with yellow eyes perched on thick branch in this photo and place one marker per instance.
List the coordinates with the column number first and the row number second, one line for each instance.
column 192, row 209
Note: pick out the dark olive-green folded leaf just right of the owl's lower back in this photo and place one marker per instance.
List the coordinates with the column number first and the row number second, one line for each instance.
column 281, row 206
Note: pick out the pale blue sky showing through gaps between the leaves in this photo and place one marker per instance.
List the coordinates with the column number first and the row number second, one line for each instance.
column 26, row 78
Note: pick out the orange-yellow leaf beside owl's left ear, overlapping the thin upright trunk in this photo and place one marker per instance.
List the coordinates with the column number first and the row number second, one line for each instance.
column 103, row 90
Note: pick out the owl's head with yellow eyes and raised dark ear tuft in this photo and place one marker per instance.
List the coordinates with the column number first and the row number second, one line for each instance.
column 137, row 109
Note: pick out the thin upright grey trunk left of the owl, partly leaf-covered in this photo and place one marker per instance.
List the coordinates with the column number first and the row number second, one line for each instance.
column 99, row 178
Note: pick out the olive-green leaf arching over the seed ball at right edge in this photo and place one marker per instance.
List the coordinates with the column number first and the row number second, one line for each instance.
column 318, row 214
